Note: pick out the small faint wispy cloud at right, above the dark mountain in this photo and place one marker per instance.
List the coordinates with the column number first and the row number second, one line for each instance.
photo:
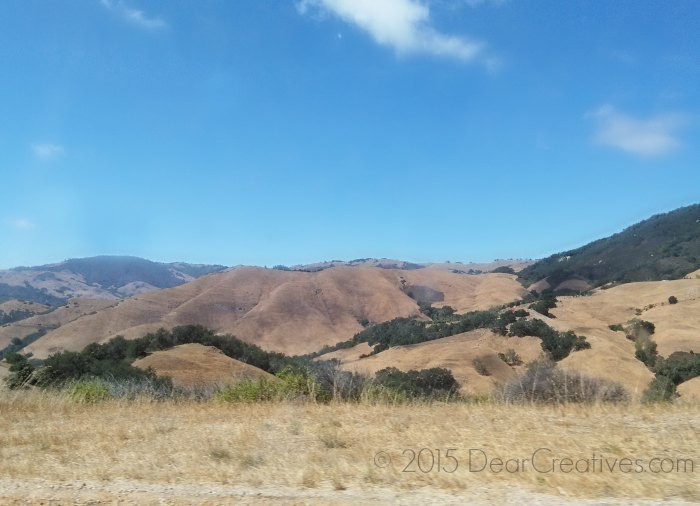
column 653, row 136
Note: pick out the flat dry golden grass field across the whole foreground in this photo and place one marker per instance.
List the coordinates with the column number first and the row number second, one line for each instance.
column 53, row 449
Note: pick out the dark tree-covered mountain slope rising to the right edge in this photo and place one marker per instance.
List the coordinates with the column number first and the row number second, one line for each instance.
column 665, row 246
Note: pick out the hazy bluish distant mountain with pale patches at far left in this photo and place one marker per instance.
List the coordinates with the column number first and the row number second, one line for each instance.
column 101, row 277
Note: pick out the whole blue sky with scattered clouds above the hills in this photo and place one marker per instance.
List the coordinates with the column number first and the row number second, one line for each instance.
column 287, row 131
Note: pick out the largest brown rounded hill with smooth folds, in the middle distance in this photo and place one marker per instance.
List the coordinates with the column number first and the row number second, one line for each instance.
column 291, row 312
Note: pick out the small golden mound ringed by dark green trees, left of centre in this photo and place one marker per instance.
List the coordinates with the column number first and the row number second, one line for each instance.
column 193, row 364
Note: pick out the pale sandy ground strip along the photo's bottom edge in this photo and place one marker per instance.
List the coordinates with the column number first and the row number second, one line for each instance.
column 129, row 492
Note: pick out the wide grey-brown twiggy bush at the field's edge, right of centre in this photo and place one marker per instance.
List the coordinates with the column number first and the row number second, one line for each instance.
column 544, row 383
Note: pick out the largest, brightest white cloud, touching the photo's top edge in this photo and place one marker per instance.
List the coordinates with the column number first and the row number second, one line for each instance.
column 403, row 25
